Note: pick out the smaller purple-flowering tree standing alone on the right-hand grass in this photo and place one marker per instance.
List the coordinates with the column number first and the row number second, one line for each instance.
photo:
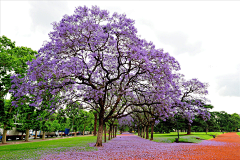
column 192, row 101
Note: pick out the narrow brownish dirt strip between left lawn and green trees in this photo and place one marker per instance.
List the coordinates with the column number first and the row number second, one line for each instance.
column 35, row 140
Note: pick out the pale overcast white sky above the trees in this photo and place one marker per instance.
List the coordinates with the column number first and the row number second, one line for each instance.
column 204, row 37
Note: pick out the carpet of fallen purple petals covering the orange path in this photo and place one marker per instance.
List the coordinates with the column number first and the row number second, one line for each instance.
column 128, row 146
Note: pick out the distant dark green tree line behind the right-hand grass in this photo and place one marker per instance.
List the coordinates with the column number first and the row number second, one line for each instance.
column 219, row 122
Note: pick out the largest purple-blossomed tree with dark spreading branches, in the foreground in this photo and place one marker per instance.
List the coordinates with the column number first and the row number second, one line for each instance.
column 100, row 61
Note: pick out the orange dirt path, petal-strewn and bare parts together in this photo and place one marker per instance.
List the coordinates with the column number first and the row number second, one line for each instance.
column 129, row 146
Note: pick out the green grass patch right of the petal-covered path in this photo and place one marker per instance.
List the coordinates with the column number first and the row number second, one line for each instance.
column 170, row 137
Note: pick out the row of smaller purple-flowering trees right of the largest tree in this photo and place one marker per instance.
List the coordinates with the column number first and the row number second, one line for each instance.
column 188, row 105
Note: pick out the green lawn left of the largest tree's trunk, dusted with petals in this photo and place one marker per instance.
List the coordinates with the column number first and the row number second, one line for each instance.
column 35, row 150
